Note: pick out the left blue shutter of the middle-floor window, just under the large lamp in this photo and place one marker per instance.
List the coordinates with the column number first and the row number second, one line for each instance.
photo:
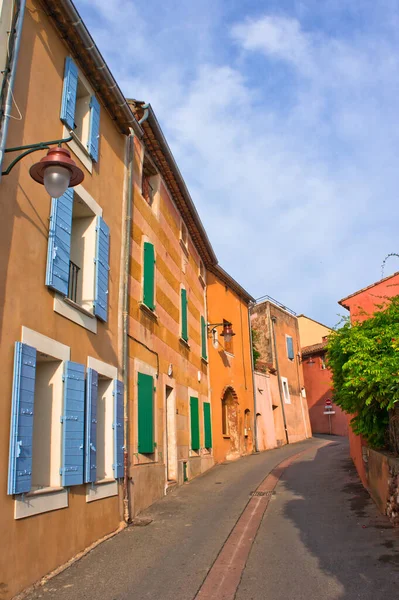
column 59, row 242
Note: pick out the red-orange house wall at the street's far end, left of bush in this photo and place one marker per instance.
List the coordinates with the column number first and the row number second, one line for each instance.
column 318, row 385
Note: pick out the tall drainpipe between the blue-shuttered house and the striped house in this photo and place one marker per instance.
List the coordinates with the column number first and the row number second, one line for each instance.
column 125, row 321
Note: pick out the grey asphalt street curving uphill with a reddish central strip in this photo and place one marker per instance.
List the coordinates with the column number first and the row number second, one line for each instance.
column 321, row 537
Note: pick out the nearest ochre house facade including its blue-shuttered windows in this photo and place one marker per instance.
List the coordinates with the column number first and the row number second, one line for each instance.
column 56, row 335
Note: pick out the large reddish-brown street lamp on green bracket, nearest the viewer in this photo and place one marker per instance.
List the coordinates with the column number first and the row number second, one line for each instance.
column 56, row 171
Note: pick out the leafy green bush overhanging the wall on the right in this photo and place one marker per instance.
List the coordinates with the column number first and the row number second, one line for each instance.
column 364, row 360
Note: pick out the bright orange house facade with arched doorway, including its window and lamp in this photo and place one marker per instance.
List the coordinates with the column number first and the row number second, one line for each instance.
column 230, row 365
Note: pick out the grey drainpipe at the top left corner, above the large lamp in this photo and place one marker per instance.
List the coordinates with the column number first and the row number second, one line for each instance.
column 11, row 73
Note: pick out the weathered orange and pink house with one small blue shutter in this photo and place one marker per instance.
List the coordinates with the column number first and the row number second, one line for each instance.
column 297, row 417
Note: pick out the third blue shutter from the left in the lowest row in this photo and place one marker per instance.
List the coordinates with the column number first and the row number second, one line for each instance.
column 91, row 426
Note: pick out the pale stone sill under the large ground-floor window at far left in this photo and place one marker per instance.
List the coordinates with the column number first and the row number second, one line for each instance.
column 40, row 501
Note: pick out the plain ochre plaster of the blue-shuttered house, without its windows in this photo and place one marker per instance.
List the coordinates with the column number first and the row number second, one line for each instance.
column 38, row 544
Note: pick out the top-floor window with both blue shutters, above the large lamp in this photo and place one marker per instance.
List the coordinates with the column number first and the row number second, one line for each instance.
column 80, row 110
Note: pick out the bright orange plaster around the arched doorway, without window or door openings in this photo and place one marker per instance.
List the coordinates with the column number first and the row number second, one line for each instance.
column 230, row 370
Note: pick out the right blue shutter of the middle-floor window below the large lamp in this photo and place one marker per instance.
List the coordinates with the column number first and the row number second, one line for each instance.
column 102, row 268
